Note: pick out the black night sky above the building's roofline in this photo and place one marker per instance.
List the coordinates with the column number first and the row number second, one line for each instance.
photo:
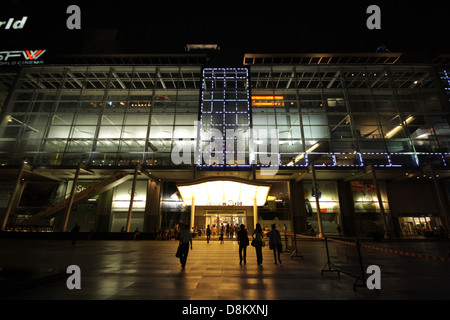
column 141, row 27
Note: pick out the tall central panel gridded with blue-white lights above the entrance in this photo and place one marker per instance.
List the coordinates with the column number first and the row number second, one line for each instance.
column 225, row 118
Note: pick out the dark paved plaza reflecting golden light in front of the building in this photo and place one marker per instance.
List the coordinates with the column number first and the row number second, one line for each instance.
column 149, row 270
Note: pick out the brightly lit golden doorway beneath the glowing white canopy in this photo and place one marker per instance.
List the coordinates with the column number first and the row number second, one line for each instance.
column 229, row 219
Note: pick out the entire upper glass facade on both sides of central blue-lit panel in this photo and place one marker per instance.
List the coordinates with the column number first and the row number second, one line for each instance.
column 326, row 115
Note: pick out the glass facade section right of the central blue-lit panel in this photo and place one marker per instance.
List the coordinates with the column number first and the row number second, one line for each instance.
column 353, row 115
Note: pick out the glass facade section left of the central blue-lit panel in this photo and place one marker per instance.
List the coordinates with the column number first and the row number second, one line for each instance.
column 104, row 116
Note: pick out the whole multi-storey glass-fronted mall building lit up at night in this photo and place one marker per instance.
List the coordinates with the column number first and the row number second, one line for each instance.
column 306, row 141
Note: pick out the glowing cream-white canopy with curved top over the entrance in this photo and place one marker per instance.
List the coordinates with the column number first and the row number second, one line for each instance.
column 223, row 192
